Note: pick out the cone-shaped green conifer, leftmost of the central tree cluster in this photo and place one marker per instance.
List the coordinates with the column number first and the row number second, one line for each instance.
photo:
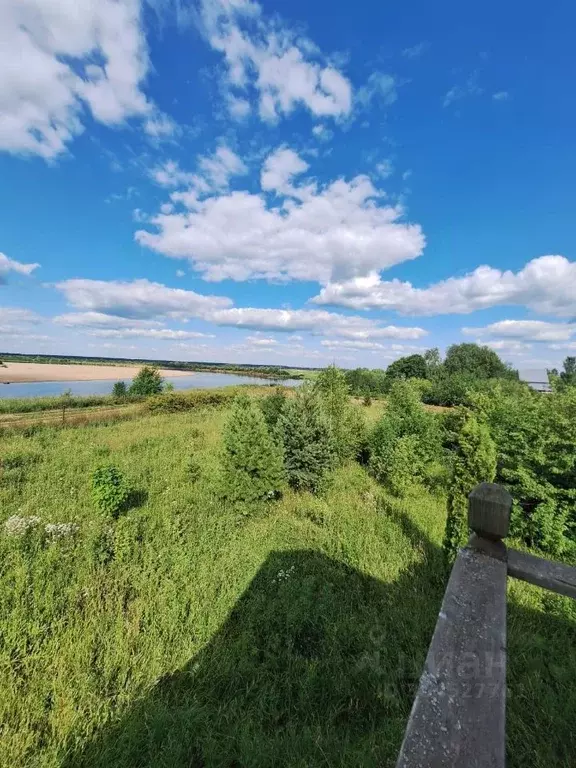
column 252, row 461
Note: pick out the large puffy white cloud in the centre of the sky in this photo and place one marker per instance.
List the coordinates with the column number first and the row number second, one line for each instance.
column 323, row 233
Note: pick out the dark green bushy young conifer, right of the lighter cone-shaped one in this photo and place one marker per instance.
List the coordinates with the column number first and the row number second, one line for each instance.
column 307, row 441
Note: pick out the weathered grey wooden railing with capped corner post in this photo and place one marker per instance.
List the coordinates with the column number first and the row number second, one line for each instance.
column 459, row 714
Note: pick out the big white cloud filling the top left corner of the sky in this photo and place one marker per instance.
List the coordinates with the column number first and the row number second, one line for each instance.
column 62, row 58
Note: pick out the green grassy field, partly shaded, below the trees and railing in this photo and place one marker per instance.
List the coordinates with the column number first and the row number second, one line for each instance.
column 189, row 633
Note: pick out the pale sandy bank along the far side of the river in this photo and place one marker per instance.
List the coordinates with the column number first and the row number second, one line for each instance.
column 21, row 372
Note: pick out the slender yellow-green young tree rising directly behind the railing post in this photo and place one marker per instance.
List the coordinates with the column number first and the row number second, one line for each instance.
column 474, row 462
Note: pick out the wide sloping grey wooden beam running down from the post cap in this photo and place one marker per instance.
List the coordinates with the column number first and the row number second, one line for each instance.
column 458, row 718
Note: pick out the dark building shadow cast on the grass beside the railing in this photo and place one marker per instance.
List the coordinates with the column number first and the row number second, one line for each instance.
column 316, row 665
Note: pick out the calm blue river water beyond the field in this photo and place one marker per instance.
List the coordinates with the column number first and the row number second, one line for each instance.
column 196, row 381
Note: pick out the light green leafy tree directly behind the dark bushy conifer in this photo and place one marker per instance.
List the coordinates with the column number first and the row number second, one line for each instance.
column 344, row 418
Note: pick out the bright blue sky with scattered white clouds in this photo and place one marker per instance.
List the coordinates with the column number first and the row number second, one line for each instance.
column 287, row 183
